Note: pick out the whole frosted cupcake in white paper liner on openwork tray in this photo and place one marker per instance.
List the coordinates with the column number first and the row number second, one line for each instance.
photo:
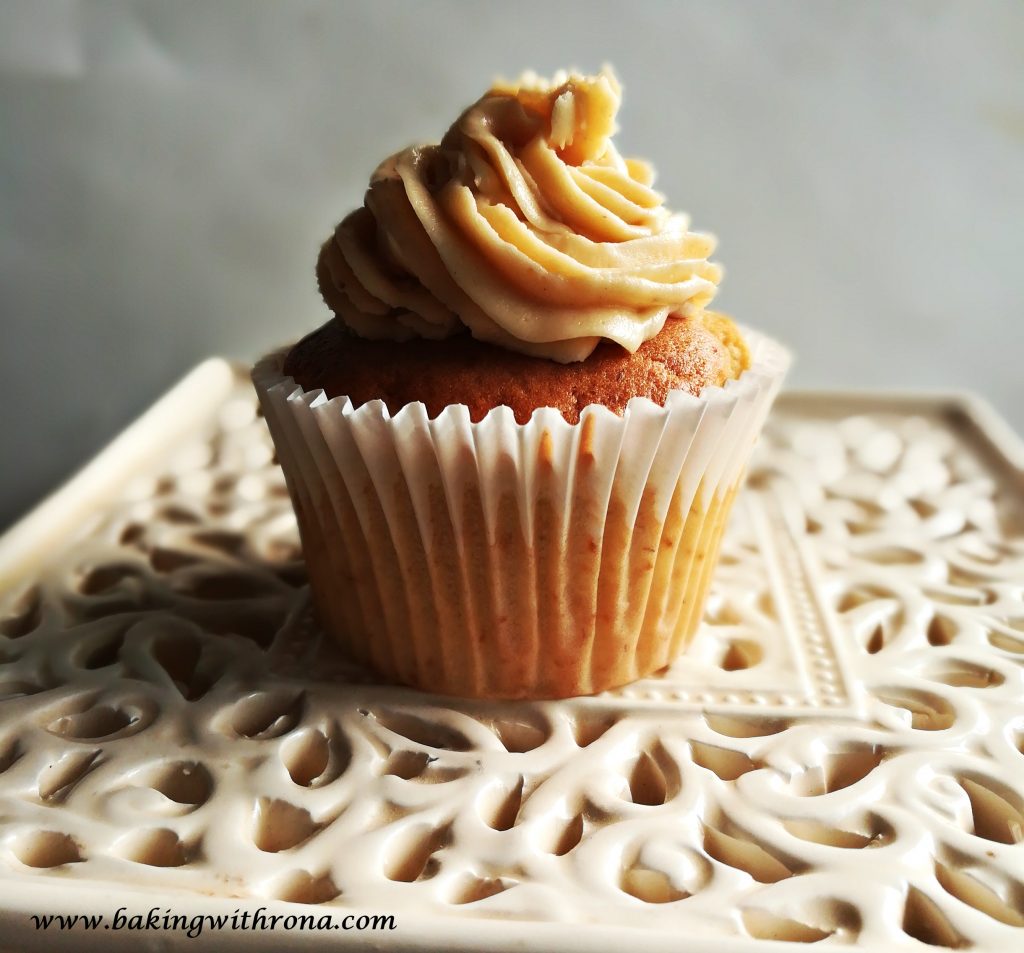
column 514, row 450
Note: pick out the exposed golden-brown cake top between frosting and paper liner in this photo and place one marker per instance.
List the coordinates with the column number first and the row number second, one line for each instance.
column 690, row 355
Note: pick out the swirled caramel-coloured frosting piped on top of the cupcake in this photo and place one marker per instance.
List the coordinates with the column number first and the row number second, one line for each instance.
column 524, row 226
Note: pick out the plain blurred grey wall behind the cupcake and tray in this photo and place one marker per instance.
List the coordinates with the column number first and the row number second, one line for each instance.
column 168, row 170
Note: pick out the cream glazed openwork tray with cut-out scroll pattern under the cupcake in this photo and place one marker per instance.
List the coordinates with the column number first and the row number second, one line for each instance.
column 838, row 759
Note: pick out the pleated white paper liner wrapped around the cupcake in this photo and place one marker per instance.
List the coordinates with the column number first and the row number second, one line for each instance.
column 504, row 560
